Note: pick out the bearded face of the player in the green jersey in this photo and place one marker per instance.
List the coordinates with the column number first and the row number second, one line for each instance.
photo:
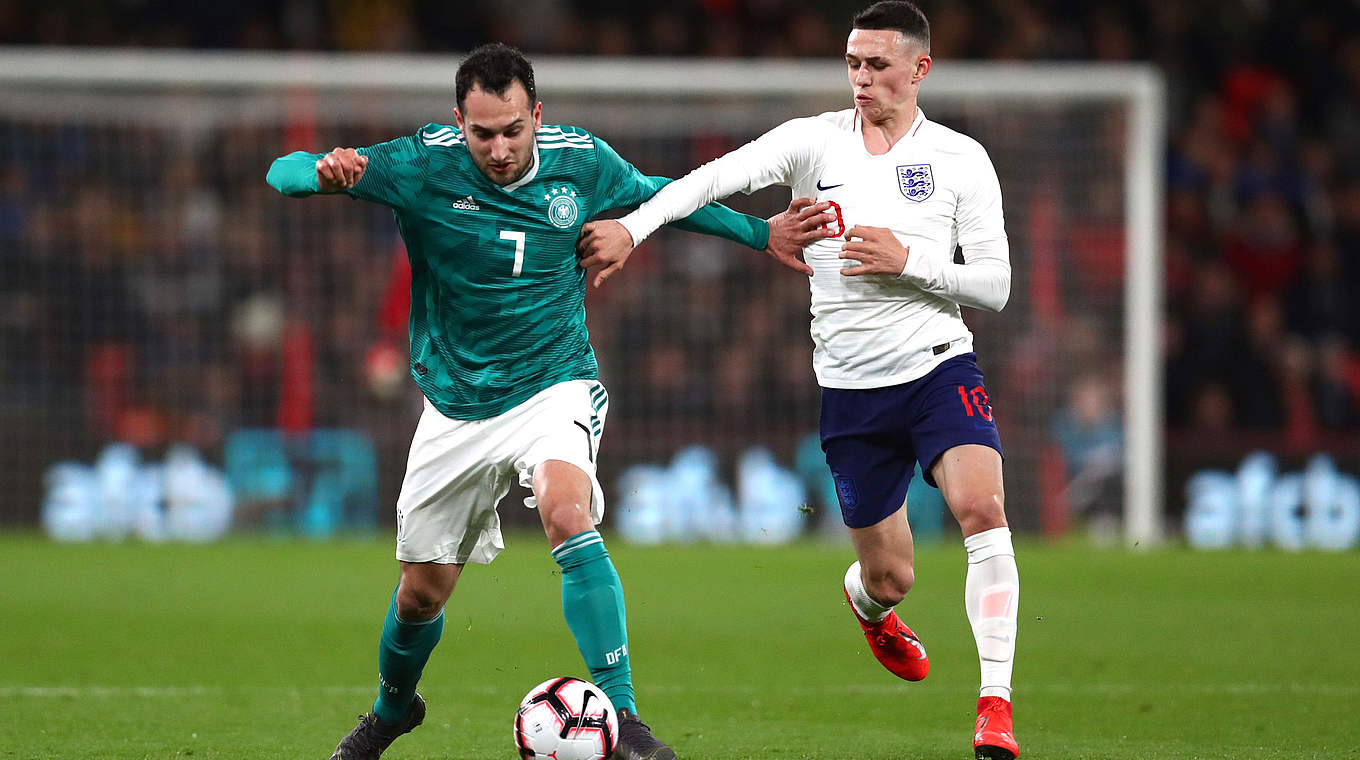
column 500, row 131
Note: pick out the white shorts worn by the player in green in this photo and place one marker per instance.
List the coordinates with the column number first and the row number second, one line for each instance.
column 460, row 470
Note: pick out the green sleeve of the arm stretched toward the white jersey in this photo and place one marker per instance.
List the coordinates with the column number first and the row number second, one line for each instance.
column 626, row 187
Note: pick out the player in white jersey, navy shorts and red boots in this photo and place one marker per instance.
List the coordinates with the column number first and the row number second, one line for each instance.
column 898, row 194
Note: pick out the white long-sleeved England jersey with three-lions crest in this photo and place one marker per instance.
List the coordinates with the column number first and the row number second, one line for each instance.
column 935, row 190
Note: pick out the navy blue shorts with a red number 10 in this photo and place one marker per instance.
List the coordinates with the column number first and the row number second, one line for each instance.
column 875, row 437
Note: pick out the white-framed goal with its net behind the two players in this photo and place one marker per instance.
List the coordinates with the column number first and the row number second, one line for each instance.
column 158, row 292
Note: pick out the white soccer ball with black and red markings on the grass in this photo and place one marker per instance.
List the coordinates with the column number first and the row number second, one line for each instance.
column 566, row 720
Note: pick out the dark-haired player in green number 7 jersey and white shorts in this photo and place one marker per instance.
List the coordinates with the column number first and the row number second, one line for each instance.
column 490, row 213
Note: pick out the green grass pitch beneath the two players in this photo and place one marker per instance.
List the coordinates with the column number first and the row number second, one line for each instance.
column 258, row 649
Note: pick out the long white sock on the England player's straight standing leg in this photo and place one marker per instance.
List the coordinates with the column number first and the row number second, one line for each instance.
column 992, row 598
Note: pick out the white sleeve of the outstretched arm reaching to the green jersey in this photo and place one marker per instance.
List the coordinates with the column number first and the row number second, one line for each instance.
column 776, row 158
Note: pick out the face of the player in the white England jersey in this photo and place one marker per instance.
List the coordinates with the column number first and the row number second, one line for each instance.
column 886, row 73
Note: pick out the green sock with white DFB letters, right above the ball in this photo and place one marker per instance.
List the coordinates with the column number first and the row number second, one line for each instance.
column 592, row 600
